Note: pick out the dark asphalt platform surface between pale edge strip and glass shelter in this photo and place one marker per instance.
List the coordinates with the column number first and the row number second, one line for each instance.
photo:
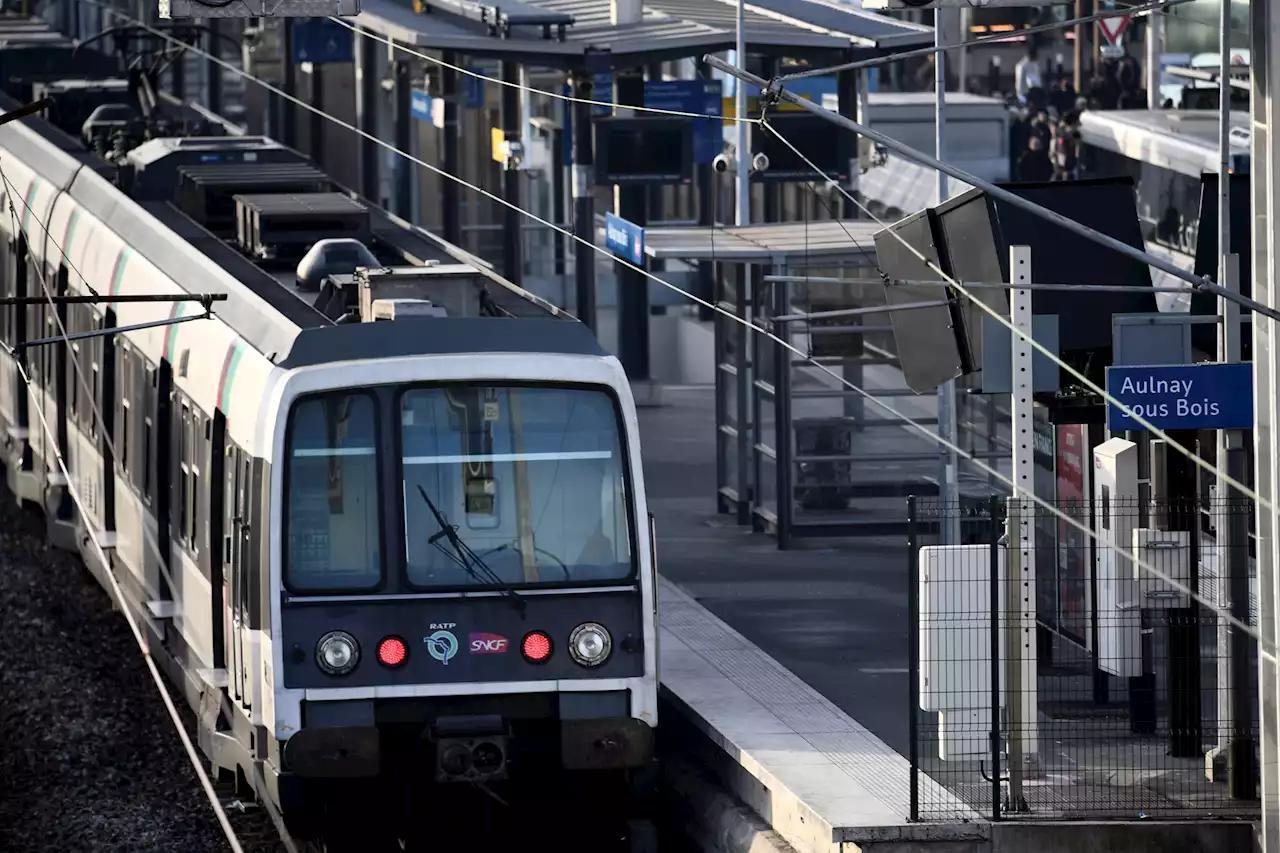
column 835, row 614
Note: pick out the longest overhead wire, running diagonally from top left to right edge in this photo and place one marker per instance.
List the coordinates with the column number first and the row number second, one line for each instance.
column 1267, row 646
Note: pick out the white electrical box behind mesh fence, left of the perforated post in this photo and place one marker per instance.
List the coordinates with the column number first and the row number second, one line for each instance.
column 956, row 650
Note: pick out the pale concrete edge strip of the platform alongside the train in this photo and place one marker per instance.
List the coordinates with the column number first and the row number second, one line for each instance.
column 826, row 779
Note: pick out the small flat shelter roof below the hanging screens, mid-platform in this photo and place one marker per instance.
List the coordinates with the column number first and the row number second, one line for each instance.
column 794, row 244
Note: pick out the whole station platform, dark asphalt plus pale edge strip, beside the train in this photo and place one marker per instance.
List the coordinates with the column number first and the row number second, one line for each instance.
column 790, row 669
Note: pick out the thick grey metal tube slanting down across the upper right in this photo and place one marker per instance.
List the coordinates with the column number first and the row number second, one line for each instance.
column 1003, row 195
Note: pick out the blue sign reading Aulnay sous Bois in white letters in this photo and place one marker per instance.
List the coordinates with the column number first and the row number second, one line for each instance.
column 1186, row 396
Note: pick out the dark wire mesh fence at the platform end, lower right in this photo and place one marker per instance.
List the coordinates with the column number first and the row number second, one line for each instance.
column 1135, row 720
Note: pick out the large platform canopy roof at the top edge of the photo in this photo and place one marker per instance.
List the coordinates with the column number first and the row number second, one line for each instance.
column 572, row 34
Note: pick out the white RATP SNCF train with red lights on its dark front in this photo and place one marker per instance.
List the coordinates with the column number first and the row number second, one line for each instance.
column 380, row 513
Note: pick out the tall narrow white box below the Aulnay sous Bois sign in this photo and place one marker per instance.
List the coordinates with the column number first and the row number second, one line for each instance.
column 1119, row 608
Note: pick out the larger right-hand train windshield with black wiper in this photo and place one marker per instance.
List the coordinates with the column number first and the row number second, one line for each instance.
column 533, row 478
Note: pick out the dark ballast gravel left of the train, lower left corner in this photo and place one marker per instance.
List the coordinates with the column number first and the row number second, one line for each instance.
column 90, row 761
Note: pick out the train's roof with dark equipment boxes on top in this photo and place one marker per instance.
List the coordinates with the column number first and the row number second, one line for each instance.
column 249, row 204
